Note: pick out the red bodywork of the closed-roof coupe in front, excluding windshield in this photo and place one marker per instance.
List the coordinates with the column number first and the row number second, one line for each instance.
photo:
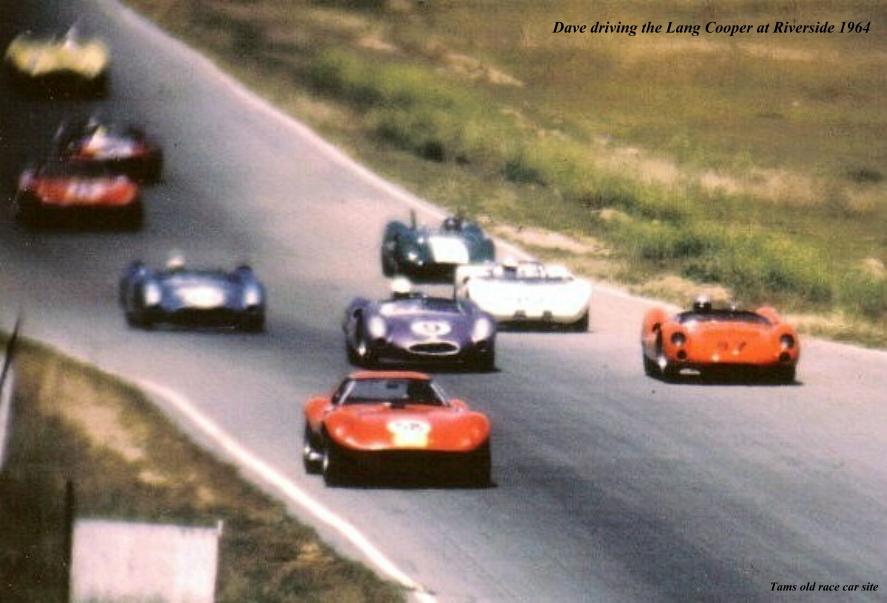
column 402, row 434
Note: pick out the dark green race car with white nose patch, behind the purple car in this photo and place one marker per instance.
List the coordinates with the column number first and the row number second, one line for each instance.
column 429, row 254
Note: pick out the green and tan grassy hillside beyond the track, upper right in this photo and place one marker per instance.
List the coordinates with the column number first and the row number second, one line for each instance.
column 755, row 161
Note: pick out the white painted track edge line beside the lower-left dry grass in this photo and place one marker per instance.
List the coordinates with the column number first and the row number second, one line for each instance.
column 249, row 460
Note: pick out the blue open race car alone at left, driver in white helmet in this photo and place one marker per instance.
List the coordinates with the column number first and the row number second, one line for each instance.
column 192, row 297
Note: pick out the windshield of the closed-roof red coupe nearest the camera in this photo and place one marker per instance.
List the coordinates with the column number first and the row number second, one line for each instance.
column 390, row 390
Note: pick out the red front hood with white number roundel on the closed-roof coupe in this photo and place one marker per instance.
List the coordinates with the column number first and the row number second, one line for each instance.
column 376, row 427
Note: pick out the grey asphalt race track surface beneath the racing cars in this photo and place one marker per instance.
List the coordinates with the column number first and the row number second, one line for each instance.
column 609, row 485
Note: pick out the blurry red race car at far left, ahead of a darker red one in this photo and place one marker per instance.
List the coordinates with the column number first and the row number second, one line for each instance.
column 59, row 193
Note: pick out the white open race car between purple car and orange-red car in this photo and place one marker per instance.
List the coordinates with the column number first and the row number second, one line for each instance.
column 526, row 293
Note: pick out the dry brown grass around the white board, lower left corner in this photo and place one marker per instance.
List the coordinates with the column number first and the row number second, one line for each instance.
column 75, row 423
